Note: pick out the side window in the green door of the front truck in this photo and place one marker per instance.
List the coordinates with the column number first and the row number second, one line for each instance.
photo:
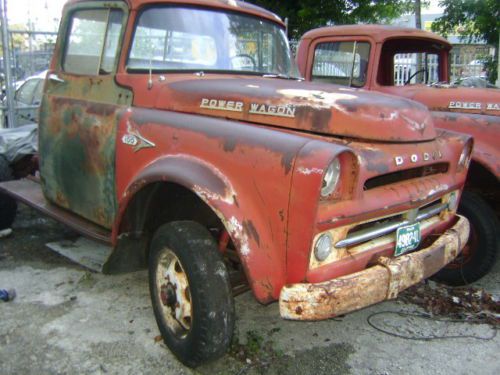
column 92, row 45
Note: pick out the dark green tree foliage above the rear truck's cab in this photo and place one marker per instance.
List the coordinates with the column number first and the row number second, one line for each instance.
column 304, row 15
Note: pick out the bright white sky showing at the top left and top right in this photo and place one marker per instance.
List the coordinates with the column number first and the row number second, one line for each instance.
column 45, row 14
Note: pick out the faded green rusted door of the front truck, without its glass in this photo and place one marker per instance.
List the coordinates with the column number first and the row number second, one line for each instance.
column 78, row 124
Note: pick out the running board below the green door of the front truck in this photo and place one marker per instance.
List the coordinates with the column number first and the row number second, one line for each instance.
column 30, row 192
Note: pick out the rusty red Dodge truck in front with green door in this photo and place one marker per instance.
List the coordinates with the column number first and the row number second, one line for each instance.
column 180, row 134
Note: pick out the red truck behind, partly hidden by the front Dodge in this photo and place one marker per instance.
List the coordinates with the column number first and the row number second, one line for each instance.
column 414, row 64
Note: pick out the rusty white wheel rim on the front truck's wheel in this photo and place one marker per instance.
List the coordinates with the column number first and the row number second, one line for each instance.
column 174, row 295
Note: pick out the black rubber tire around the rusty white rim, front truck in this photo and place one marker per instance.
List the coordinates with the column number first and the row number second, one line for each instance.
column 211, row 294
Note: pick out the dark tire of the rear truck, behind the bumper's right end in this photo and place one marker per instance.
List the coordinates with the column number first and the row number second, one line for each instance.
column 485, row 223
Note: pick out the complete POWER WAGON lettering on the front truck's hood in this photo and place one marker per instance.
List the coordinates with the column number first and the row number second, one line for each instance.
column 255, row 108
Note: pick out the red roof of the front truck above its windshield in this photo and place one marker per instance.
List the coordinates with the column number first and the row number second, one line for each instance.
column 221, row 4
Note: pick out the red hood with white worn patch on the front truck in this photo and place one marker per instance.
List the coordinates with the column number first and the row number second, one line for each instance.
column 297, row 105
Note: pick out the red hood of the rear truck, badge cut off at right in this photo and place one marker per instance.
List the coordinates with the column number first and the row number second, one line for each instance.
column 452, row 99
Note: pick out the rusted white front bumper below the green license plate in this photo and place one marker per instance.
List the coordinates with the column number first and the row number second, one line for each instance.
column 375, row 284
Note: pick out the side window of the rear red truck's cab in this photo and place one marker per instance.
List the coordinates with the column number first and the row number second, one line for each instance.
column 343, row 63
